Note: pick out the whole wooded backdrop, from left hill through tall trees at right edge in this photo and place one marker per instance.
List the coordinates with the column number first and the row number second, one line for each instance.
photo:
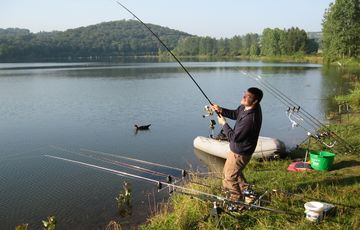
column 339, row 38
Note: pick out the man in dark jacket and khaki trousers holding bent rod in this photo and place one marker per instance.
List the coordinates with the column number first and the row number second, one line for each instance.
column 243, row 139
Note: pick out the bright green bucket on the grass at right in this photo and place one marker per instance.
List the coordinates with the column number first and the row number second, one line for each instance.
column 321, row 160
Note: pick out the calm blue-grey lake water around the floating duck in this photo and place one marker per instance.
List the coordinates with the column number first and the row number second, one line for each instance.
column 76, row 106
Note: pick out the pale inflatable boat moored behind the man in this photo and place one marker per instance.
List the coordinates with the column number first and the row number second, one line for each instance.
column 266, row 147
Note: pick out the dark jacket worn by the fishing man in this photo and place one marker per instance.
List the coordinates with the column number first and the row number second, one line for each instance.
column 244, row 136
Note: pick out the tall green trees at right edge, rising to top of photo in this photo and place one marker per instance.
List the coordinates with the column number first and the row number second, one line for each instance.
column 341, row 30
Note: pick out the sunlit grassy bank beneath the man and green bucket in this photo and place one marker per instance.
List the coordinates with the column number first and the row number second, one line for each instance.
column 288, row 190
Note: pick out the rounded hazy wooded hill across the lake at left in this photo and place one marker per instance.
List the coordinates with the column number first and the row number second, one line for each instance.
column 116, row 38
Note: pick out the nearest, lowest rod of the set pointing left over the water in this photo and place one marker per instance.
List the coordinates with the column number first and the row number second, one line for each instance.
column 172, row 187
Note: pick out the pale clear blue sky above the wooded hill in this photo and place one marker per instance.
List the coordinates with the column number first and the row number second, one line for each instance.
column 217, row 19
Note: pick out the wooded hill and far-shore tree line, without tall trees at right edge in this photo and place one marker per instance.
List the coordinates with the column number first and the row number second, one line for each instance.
column 130, row 38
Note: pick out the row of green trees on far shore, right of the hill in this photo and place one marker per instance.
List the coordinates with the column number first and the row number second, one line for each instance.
column 272, row 42
